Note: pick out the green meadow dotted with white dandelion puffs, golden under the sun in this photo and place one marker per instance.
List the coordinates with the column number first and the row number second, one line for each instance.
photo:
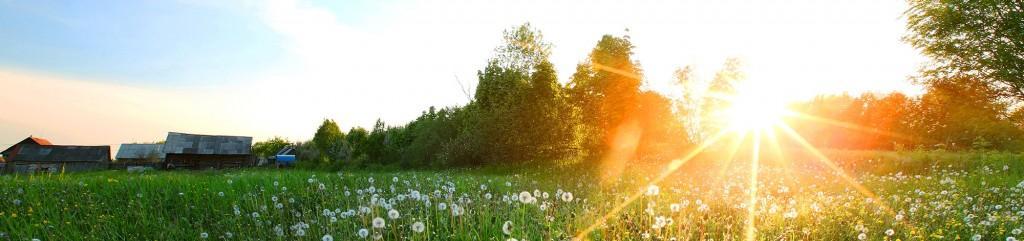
column 979, row 199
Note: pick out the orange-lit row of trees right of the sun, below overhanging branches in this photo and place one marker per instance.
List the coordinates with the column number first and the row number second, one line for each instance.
column 953, row 114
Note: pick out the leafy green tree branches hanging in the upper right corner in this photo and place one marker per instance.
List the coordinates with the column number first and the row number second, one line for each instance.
column 978, row 39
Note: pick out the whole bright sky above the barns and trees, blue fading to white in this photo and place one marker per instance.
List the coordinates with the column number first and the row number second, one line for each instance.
column 111, row 72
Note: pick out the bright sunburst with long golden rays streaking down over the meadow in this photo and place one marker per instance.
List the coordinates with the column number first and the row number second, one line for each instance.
column 749, row 120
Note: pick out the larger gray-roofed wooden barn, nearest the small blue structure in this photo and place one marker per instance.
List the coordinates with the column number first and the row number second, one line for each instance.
column 203, row 152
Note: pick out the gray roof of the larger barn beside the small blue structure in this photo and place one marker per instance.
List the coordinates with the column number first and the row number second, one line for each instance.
column 202, row 144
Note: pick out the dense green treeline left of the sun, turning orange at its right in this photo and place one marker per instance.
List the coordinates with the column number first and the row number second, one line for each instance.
column 521, row 113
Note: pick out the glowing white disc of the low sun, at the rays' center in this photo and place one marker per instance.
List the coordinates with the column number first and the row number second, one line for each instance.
column 751, row 110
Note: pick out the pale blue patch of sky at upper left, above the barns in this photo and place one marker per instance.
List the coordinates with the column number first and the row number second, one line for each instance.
column 137, row 43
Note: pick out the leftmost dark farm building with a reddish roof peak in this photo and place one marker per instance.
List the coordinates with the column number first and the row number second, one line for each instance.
column 39, row 155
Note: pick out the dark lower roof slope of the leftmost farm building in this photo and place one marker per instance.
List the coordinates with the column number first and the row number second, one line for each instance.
column 64, row 153
